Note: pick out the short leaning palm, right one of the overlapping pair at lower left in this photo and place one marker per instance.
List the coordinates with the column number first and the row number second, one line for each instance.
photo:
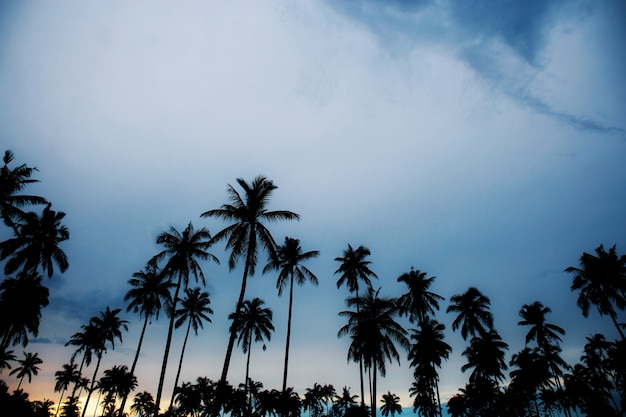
column 106, row 328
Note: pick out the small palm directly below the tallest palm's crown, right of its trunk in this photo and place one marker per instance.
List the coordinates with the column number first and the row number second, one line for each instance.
column 253, row 320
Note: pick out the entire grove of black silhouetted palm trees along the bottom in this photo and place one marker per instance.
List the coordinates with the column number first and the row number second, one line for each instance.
column 380, row 329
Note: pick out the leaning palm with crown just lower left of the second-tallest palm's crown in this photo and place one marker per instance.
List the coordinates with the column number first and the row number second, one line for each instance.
column 150, row 291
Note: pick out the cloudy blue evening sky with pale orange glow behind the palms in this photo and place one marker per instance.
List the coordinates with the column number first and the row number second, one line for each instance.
column 482, row 142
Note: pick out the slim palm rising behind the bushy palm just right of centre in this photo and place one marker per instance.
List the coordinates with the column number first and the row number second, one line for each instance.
column 354, row 268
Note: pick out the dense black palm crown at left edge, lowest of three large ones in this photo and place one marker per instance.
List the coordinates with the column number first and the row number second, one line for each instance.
column 21, row 301
